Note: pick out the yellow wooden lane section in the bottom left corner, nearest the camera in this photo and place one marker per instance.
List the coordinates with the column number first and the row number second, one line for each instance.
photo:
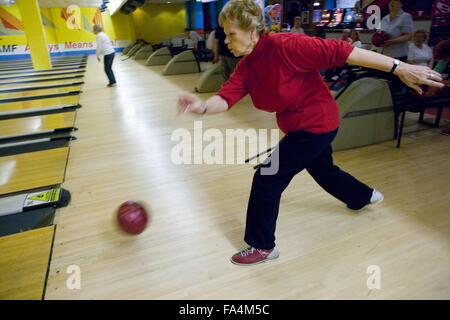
column 24, row 262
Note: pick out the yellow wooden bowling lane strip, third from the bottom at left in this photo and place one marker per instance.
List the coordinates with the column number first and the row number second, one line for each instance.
column 36, row 124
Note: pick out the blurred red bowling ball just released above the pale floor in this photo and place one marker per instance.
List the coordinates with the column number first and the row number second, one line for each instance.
column 132, row 217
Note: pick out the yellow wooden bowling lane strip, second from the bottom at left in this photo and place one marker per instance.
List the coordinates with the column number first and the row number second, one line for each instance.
column 32, row 170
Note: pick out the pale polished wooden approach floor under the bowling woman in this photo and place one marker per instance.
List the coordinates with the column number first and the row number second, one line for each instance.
column 123, row 152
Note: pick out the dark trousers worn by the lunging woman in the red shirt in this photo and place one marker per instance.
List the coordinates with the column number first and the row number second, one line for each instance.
column 297, row 151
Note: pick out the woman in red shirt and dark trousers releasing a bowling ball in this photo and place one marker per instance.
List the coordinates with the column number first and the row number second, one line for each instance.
column 280, row 71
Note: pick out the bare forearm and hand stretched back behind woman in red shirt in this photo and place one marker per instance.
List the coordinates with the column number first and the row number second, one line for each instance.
column 413, row 76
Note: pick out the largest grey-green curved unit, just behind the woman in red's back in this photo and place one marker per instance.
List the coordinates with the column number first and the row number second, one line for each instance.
column 366, row 113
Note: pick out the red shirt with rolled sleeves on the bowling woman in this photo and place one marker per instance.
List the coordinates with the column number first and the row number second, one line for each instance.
column 281, row 75
